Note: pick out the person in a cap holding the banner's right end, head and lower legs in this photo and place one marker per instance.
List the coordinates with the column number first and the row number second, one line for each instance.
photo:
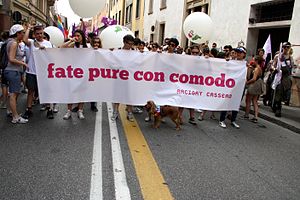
column 241, row 55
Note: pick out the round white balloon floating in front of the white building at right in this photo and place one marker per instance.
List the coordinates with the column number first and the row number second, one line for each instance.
column 197, row 27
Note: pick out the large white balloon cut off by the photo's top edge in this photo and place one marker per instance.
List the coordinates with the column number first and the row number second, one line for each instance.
column 87, row 9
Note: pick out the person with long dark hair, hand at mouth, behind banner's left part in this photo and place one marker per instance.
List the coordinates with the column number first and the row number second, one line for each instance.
column 79, row 41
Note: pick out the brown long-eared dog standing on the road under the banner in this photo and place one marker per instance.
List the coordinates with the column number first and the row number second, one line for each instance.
column 165, row 111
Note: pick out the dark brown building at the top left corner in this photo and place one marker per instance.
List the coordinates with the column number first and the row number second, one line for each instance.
column 21, row 11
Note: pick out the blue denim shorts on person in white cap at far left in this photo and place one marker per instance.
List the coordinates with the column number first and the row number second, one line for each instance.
column 14, row 81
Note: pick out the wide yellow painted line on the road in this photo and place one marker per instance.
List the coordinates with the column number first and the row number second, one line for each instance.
column 152, row 183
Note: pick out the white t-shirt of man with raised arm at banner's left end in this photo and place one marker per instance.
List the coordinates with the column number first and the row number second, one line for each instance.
column 31, row 64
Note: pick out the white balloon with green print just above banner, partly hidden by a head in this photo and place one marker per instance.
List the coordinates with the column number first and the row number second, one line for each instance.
column 112, row 36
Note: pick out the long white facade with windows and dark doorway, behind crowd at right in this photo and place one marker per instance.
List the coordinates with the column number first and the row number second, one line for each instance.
column 247, row 22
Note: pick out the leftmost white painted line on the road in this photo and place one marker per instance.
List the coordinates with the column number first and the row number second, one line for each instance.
column 96, row 178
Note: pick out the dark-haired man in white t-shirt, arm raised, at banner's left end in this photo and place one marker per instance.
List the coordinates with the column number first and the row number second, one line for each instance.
column 31, row 82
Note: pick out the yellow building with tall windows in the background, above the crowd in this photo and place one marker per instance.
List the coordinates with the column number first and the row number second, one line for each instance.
column 129, row 13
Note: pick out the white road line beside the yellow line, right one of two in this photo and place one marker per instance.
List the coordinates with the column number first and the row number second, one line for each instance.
column 121, row 187
